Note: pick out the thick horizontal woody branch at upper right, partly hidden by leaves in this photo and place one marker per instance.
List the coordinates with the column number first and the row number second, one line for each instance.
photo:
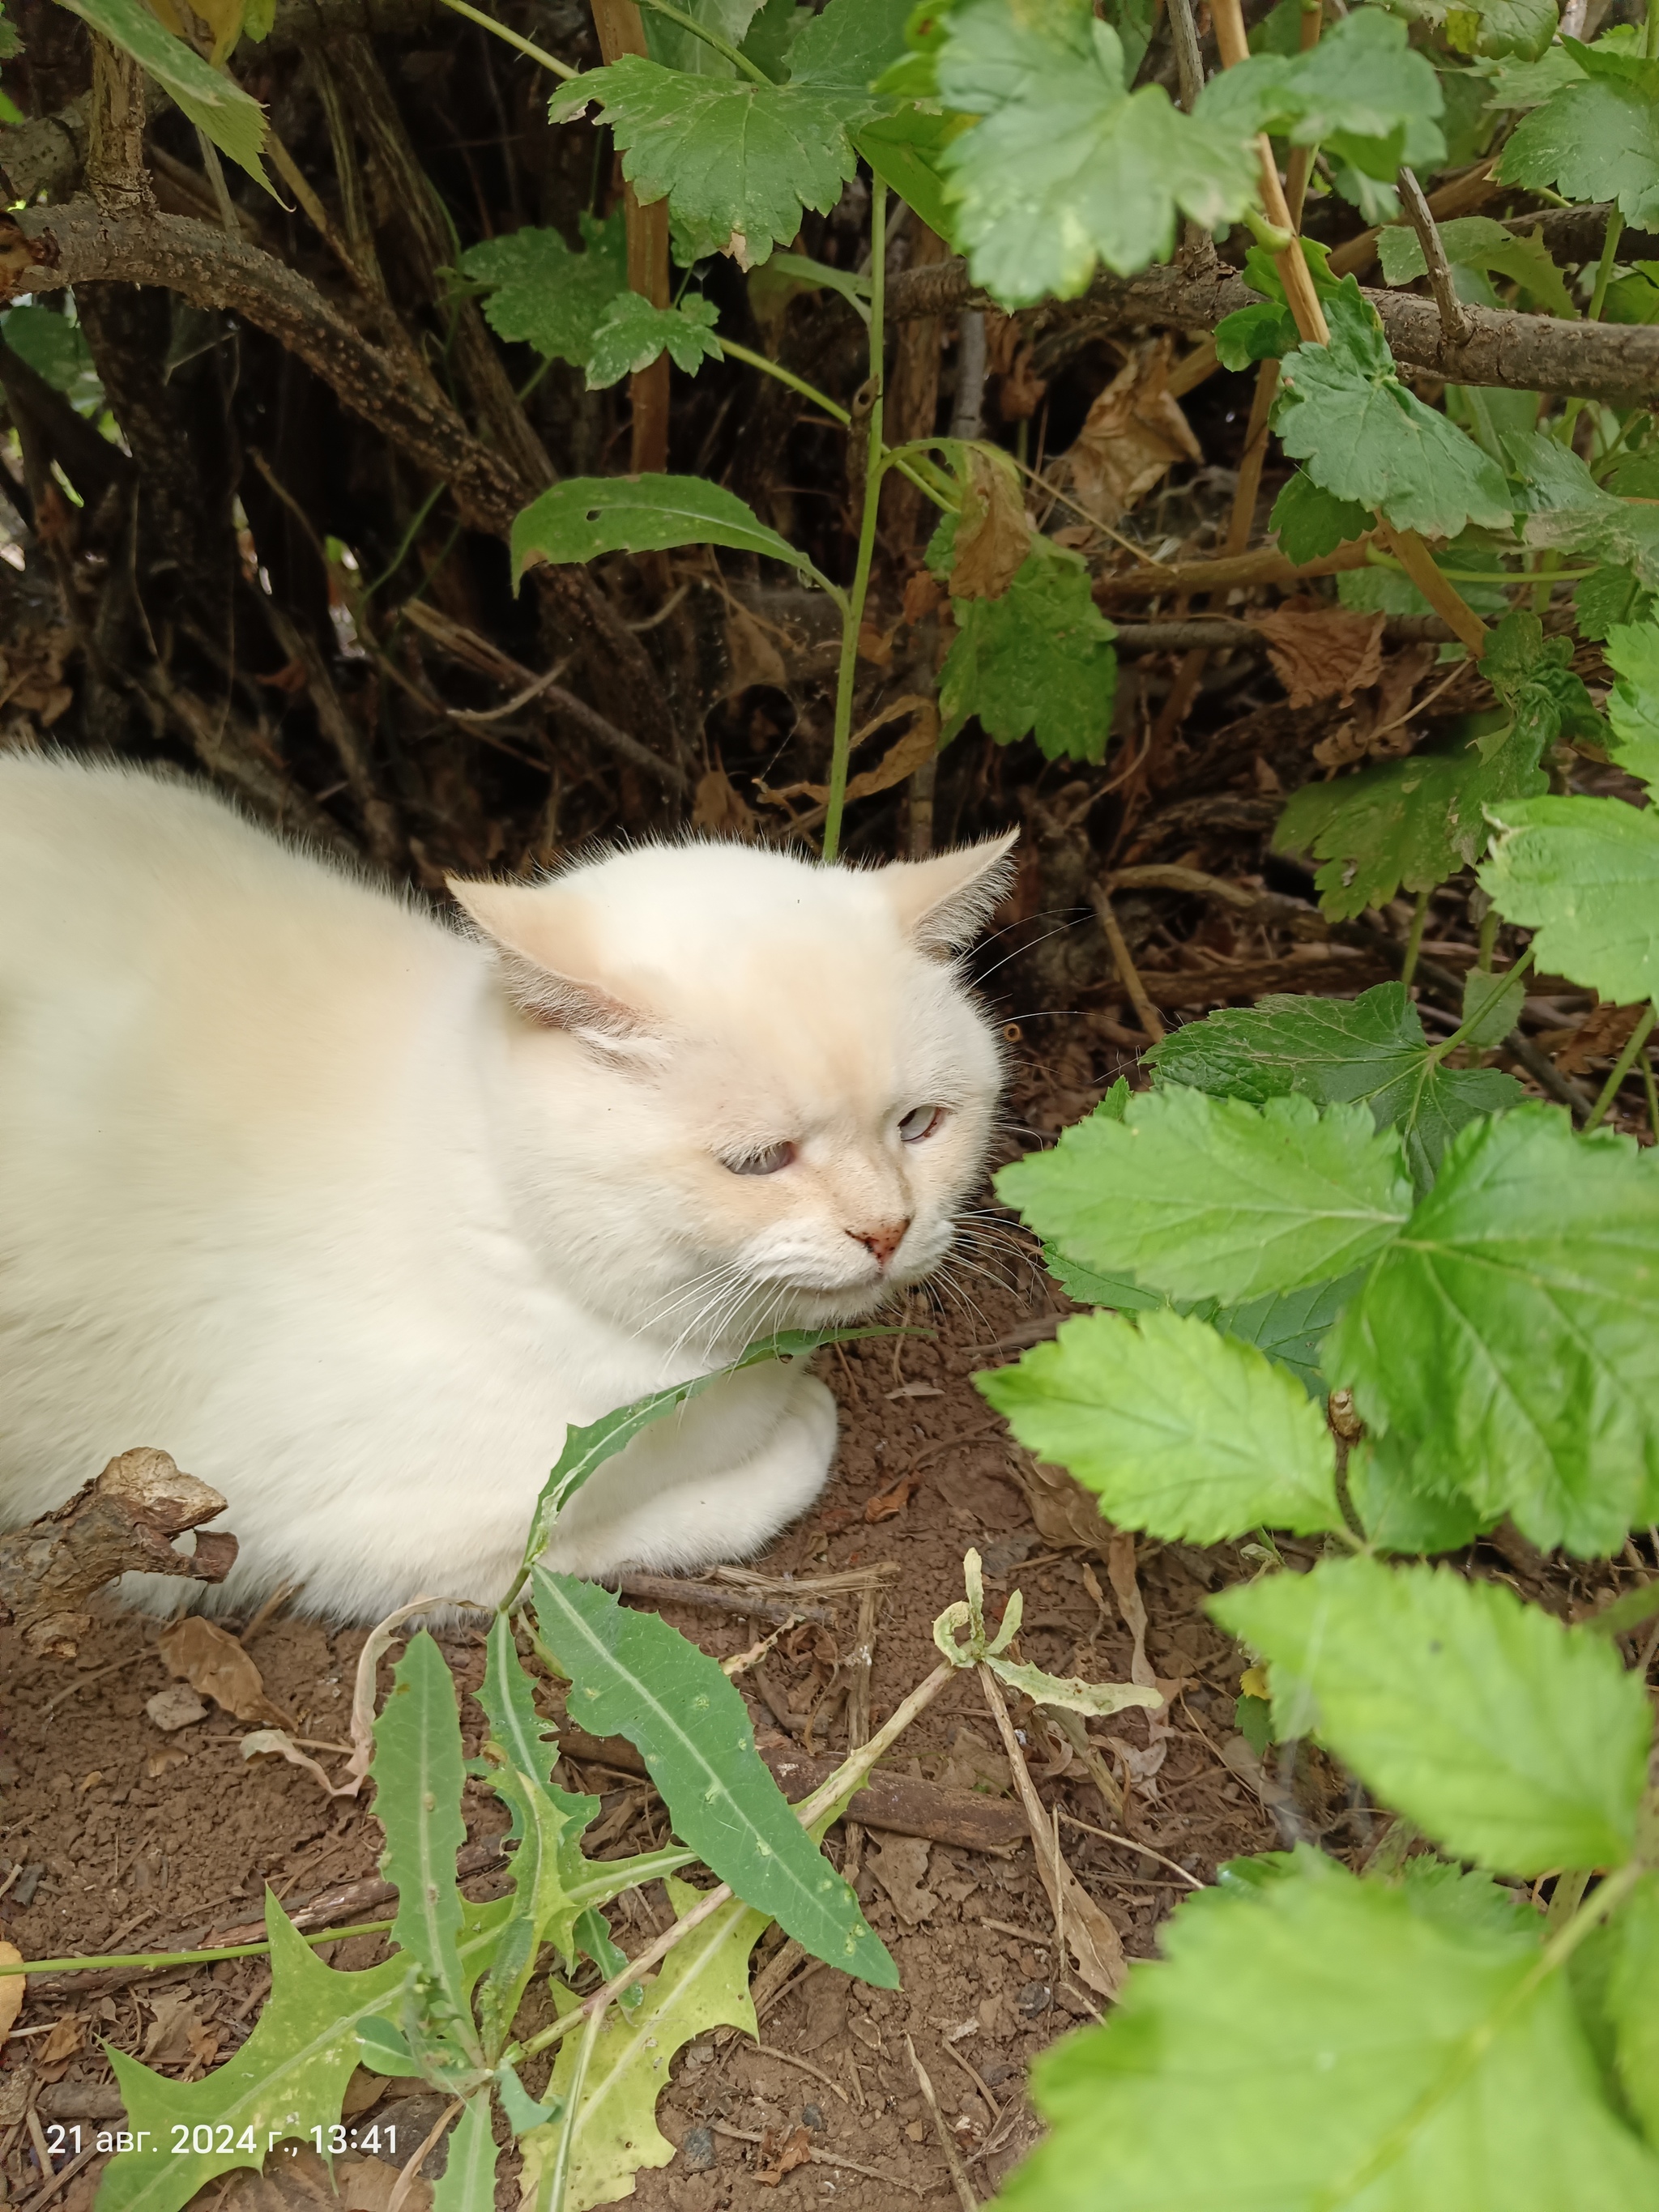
column 1519, row 353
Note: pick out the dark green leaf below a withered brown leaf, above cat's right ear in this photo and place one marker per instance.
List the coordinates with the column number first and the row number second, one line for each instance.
column 1036, row 662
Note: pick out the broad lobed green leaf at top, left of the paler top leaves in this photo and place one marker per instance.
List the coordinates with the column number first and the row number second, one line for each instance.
column 738, row 163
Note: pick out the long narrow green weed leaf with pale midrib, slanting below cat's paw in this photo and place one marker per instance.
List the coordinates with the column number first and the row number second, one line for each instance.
column 638, row 1678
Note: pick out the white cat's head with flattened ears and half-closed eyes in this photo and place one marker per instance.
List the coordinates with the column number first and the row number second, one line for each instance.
column 751, row 1092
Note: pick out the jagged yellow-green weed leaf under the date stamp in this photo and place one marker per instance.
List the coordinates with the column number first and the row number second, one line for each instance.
column 286, row 2080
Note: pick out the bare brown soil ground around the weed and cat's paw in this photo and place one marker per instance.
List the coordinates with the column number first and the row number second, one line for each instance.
column 118, row 1837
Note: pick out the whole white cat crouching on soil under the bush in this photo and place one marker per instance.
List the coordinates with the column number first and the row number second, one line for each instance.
column 353, row 1213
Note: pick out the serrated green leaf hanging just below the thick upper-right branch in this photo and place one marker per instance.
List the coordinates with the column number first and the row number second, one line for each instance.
column 1368, row 439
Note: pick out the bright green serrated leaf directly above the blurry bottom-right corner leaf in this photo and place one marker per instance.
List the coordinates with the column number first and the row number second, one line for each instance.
column 1494, row 1729
